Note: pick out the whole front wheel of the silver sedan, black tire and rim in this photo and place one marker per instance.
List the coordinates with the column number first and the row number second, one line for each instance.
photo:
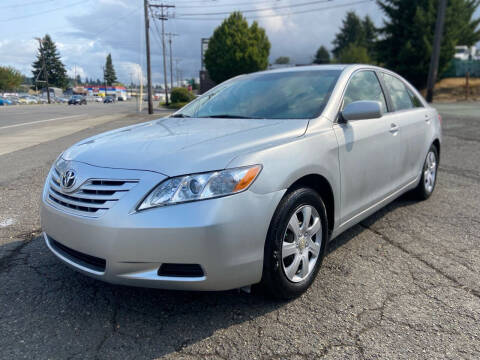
column 280, row 279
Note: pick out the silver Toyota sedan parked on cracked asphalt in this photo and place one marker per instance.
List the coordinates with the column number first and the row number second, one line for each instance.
column 245, row 185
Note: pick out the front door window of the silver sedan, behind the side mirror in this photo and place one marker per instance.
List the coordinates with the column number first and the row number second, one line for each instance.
column 364, row 85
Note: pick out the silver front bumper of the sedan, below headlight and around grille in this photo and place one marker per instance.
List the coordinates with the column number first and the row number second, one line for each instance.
column 225, row 236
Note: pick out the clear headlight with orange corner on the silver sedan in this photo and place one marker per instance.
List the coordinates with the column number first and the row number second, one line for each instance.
column 201, row 186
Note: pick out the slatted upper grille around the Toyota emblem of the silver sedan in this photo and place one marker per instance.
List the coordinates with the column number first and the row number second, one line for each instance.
column 92, row 198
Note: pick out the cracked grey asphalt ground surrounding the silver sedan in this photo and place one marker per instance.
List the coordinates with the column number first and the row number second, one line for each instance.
column 403, row 284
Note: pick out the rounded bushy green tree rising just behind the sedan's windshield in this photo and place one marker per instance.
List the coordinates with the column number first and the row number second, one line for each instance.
column 236, row 48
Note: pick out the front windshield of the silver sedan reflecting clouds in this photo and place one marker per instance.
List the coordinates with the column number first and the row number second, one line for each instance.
column 282, row 95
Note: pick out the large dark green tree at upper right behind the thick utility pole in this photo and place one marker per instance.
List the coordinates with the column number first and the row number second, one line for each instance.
column 408, row 31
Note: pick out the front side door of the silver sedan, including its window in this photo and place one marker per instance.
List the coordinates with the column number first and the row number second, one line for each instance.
column 364, row 149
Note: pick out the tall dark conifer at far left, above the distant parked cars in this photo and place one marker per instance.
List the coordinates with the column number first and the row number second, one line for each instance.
column 57, row 75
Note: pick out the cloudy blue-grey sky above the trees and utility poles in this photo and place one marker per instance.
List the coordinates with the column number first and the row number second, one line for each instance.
column 87, row 30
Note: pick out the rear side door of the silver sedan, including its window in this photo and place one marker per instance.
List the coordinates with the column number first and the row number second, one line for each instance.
column 407, row 127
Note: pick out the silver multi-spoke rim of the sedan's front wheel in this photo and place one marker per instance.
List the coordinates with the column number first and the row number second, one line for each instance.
column 302, row 242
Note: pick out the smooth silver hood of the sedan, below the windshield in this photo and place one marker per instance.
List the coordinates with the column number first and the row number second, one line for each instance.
column 175, row 146
